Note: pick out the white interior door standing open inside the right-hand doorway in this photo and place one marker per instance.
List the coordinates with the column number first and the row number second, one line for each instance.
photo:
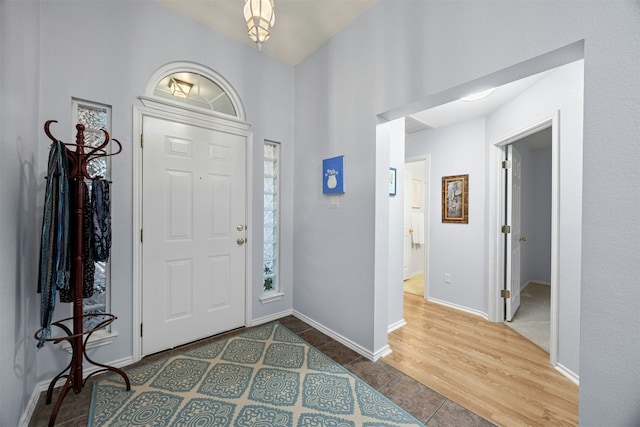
column 515, row 237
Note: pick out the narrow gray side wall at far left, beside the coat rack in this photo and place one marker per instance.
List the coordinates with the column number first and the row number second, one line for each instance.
column 20, row 183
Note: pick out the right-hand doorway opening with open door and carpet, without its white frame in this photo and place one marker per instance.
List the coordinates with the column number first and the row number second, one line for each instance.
column 528, row 310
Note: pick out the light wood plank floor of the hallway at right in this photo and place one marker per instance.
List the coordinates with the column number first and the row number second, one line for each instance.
column 484, row 366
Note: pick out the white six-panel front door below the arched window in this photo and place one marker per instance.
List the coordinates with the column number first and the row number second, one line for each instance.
column 193, row 219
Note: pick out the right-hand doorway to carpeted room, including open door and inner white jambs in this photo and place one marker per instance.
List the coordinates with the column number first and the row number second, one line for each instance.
column 530, row 241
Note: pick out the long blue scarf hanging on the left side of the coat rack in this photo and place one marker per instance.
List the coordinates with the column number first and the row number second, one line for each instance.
column 54, row 244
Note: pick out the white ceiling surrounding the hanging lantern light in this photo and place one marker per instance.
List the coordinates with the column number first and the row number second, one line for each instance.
column 301, row 26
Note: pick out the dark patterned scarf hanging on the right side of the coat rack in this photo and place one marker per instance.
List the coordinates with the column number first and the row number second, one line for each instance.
column 101, row 219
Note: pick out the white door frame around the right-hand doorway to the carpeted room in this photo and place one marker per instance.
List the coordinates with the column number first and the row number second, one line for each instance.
column 496, row 207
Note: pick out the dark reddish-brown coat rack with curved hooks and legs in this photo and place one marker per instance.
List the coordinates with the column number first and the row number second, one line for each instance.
column 77, row 337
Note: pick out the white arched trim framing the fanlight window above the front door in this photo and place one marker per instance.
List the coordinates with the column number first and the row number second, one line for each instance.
column 186, row 66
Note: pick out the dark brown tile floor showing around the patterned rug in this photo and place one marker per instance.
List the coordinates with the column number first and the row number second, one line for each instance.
column 419, row 400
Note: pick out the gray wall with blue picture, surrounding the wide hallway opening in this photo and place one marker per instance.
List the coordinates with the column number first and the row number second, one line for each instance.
column 433, row 47
